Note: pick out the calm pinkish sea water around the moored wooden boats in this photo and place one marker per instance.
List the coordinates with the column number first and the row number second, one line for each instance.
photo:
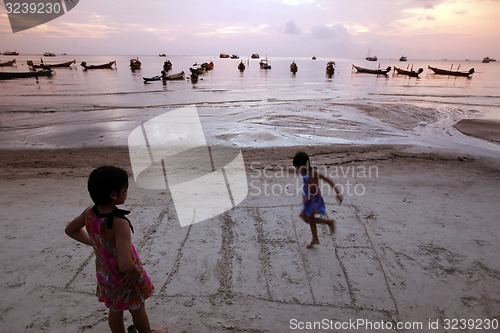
column 77, row 108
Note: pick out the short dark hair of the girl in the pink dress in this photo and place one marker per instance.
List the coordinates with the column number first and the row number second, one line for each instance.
column 103, row 181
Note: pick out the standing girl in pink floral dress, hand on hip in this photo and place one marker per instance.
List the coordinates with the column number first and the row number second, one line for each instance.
column 122, row 282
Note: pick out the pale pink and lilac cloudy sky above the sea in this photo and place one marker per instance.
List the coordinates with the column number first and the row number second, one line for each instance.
column 419, row 29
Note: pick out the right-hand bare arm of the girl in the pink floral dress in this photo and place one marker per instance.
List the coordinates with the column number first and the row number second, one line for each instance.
column 123, row 241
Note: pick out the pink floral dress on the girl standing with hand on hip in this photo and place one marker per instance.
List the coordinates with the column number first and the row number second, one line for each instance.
column 109, row 289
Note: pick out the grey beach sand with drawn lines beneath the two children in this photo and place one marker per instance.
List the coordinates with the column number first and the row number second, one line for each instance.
column 416, row 240
